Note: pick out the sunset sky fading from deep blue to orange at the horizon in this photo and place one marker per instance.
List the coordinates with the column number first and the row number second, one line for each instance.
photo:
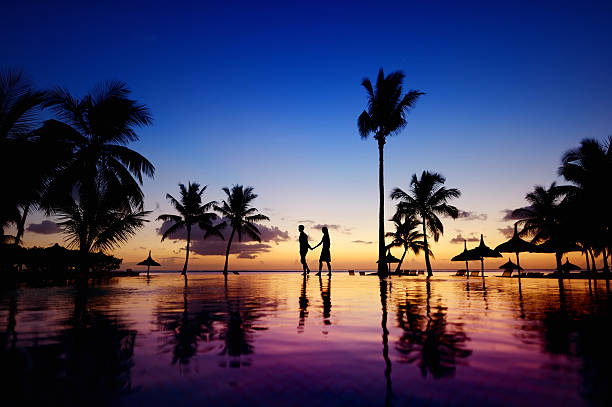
column 268, row 94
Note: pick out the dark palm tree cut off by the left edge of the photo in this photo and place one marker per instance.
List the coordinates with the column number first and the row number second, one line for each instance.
column 20, row 105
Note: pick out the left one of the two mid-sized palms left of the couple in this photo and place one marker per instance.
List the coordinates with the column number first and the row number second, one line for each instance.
column 192, row 212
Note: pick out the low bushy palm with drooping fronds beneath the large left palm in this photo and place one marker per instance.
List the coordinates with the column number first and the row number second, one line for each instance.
column 98, row 222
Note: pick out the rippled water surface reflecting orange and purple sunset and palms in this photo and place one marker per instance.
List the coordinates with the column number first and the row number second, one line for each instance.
column 276, row 339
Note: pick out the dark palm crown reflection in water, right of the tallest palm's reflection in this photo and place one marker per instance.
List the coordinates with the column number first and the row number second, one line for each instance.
column 430, row 340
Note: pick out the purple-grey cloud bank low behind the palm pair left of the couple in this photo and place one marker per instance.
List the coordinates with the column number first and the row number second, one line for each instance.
column 245, row 249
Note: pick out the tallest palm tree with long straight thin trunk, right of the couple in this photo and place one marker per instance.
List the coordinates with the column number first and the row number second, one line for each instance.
column 385, row 115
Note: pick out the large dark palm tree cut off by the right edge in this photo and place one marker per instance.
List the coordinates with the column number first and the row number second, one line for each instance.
column 588, row 168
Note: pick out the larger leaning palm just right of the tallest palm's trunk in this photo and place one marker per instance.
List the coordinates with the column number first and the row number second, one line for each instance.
column 427, row 199
